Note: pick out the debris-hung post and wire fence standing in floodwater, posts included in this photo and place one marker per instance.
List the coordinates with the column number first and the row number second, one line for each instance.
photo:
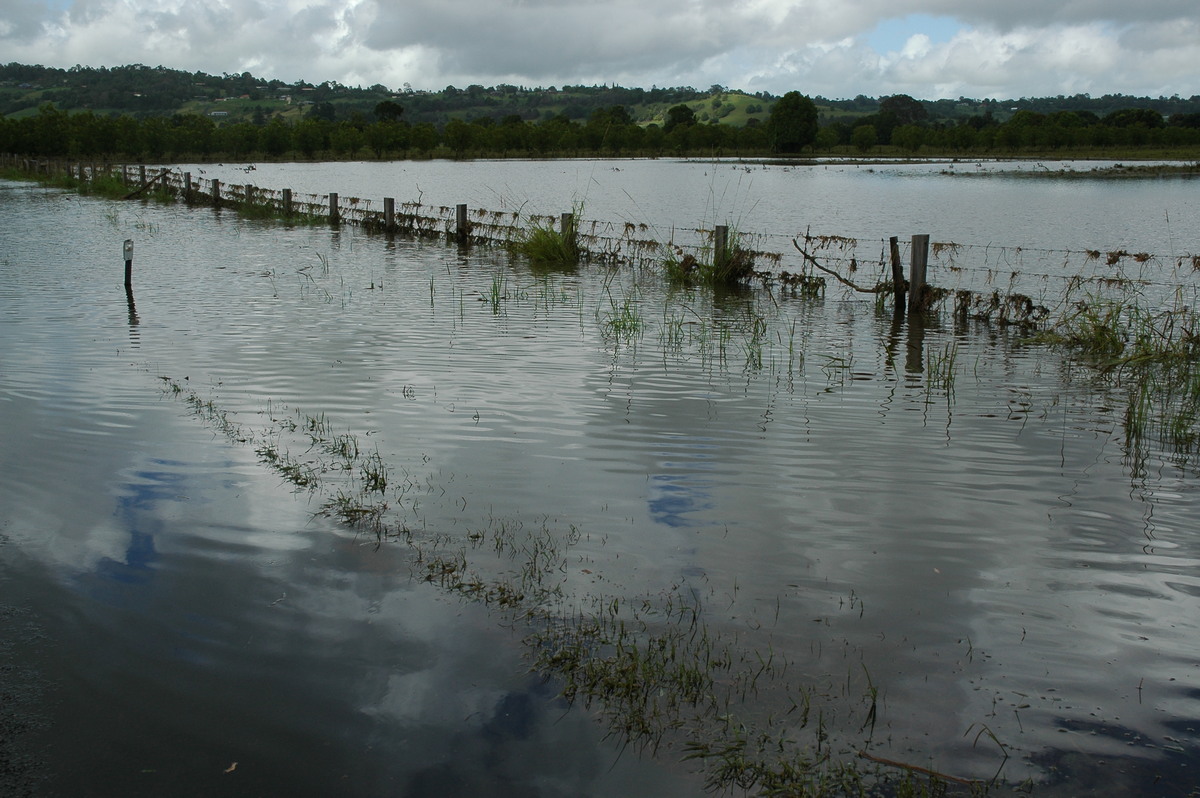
column 1006, row 285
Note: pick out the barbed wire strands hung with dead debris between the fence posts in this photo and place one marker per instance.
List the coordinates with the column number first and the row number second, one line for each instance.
column 993, row 274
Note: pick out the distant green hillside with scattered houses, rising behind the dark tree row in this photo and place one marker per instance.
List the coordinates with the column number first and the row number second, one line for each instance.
column 142, row 92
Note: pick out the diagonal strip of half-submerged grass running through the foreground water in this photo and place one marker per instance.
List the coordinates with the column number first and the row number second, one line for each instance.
column 655, row 670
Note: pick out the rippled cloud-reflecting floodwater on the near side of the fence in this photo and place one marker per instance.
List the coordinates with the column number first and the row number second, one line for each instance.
column 987, row 551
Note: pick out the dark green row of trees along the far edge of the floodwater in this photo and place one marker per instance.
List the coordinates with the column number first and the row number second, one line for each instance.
column 791, row 129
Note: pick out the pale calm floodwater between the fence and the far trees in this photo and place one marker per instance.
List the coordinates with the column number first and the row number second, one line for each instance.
column 970, row 203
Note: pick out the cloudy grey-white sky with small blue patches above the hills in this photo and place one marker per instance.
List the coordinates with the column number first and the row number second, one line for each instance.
column 835, row 49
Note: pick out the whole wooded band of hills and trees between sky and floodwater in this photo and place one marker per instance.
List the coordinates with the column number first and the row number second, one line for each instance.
column 344, row 123
